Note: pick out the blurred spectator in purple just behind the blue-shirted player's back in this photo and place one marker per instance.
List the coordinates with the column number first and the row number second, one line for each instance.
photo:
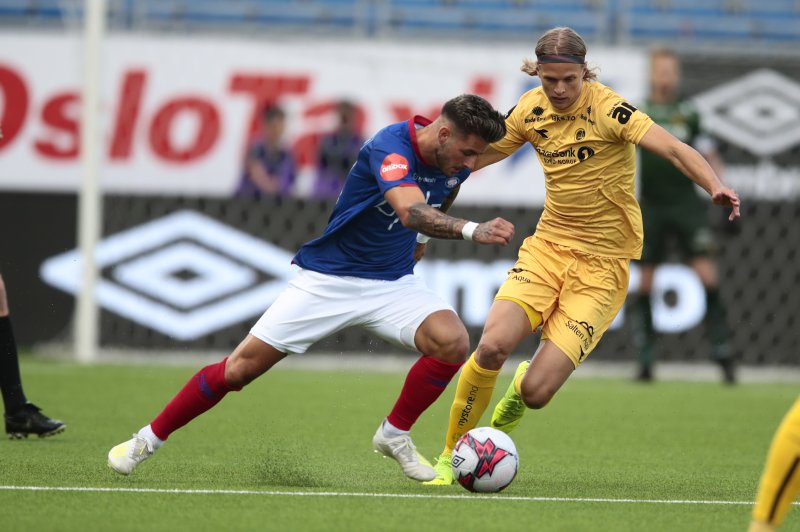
column 338, row 151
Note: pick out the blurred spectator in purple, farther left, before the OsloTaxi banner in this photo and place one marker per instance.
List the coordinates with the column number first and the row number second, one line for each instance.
column 269, row 168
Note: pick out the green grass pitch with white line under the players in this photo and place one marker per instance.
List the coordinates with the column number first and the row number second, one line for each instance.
column 297, row 446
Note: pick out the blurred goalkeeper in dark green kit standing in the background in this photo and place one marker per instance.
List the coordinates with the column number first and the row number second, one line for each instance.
column 673, row 211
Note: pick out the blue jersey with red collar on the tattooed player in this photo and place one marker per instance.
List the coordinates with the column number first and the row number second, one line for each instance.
column 364, row 237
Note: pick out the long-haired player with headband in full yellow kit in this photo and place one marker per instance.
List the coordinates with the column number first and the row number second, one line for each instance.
column 571, row 276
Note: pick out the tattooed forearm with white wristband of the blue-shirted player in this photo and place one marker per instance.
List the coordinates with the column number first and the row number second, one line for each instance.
column 414, row 213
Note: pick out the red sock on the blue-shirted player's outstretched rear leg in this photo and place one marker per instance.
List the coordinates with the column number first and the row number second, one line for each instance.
column 204, row 390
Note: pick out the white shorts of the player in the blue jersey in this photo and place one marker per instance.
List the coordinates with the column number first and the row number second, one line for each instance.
column 316, row 305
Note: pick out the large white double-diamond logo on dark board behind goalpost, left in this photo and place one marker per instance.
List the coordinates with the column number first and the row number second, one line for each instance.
column 184, row 275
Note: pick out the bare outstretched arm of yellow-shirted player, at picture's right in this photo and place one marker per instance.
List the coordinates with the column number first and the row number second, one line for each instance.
column 689, row 161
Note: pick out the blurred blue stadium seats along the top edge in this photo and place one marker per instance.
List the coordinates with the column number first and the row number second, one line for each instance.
column 609, row 21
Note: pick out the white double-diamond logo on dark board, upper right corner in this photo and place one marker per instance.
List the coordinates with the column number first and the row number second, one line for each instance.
column 759, row 112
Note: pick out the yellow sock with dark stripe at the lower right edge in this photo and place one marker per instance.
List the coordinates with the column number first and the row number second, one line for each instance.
column 781, row 477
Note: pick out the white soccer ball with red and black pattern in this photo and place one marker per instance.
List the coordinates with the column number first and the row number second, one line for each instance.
column 485, row 460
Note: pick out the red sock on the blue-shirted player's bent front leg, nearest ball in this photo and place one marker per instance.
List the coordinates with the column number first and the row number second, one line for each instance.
column 425, row 382
